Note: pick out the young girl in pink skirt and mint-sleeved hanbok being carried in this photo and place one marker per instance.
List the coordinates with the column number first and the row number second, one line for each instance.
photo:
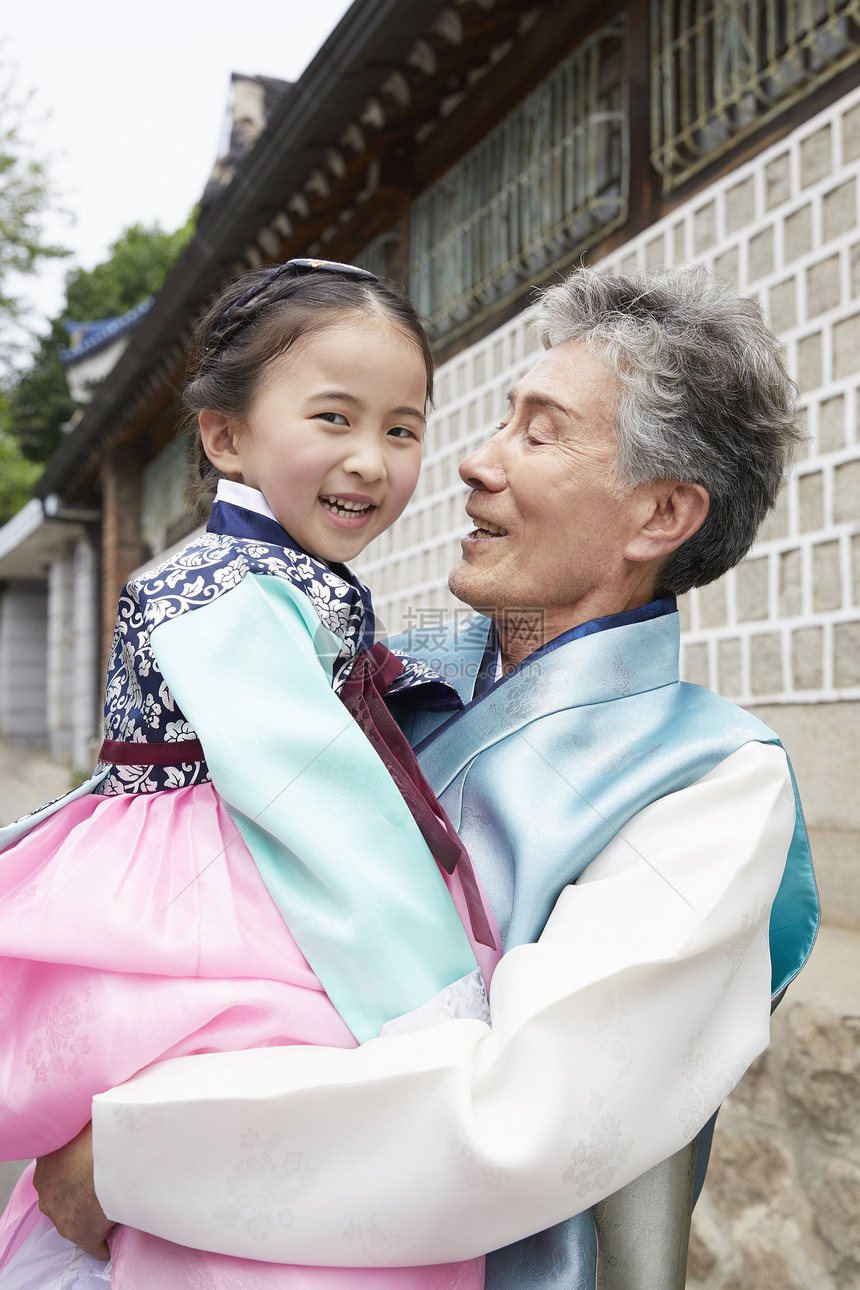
column 255, row 861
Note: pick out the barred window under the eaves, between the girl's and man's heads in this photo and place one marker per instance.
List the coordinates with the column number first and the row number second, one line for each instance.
column 549, row 183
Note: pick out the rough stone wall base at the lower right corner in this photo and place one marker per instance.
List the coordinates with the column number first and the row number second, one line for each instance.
column 781, row 1206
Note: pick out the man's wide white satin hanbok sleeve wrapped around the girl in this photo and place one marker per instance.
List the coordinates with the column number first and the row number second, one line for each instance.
column 614, row 1039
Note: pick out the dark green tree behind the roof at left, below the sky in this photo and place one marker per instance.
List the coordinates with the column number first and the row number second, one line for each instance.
column 139, row 264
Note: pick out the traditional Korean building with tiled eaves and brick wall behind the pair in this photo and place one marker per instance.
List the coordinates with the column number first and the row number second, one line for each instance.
column 475, row 150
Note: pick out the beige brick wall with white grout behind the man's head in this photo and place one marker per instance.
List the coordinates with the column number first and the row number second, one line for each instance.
column 785, row 628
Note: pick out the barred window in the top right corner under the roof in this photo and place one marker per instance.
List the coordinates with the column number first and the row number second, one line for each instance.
column 721, row 69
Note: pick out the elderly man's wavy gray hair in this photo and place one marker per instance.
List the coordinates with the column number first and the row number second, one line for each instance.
column 705, row 398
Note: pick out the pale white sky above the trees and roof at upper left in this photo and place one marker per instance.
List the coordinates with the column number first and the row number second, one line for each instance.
column 128, row 105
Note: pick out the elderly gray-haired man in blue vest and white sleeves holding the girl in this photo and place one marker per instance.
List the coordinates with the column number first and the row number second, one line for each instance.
column 638, row 838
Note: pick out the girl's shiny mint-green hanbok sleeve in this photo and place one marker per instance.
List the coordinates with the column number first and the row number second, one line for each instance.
column 333, row 839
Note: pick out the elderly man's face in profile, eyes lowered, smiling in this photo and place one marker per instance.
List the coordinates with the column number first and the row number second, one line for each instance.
column 550, row 527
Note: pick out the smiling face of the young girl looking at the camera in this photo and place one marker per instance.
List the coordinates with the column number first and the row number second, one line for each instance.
column 333, row 439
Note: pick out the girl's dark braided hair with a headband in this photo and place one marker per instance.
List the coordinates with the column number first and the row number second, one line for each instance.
column 226, row 364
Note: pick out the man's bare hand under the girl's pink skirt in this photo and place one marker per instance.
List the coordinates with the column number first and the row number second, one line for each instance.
column 68, row 1195
